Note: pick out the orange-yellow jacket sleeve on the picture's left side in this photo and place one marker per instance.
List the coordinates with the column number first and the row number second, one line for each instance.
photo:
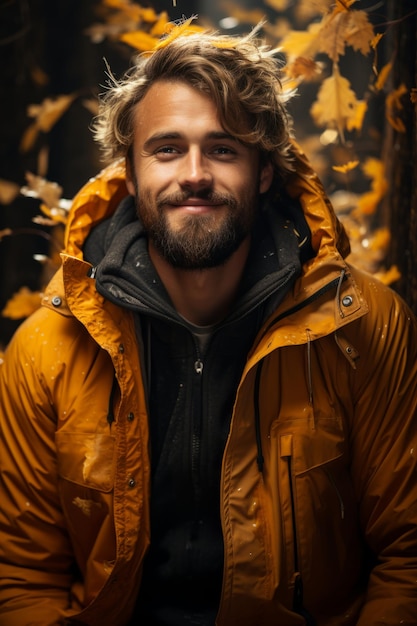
column 35, row 554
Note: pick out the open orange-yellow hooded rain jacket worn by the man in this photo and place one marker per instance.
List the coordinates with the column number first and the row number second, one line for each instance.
column 330, row 383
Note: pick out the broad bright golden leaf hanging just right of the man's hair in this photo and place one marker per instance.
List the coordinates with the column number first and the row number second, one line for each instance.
column 336, row 102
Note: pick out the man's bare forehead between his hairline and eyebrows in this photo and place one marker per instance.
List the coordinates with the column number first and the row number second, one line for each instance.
column 175, row 106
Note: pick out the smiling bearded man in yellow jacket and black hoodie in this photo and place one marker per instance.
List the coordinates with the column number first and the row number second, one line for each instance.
column 212, row 418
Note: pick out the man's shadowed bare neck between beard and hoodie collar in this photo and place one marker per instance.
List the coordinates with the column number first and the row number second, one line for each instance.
column 202, row 297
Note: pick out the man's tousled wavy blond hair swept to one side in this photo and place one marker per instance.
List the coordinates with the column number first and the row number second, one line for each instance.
column 240, row 74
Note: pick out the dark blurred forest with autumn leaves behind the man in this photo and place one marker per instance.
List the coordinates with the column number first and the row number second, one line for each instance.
column 54, row 55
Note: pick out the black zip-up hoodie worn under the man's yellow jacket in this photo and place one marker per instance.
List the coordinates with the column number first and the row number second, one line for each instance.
column 192, row 377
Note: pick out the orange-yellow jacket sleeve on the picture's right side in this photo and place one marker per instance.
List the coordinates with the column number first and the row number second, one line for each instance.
column 384, row 456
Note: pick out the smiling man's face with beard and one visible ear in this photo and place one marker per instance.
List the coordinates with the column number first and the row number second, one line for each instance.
column 196, row 187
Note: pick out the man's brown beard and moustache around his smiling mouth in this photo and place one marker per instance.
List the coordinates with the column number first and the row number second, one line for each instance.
column 202, row 241
